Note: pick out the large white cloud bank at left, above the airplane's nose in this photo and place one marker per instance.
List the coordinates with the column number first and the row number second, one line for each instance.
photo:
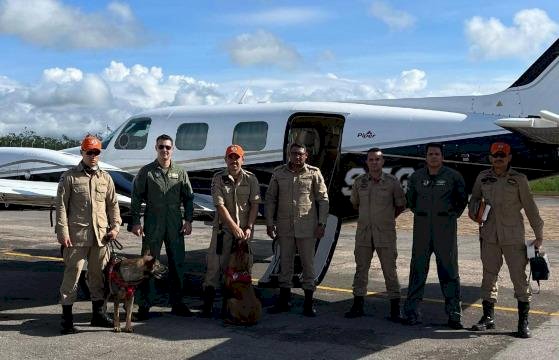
column 71, row 102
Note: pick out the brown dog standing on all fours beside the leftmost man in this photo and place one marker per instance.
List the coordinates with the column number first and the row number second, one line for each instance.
column 123, row 276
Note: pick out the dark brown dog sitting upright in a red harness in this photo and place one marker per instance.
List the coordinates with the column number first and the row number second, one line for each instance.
column 242, row 307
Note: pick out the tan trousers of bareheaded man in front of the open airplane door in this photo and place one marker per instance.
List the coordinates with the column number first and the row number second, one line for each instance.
column 288, row 246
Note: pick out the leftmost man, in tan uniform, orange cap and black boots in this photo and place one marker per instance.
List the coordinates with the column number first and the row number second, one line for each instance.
column 87, row 217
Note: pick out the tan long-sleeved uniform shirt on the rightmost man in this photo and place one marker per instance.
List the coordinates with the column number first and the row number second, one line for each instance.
column 507, row 195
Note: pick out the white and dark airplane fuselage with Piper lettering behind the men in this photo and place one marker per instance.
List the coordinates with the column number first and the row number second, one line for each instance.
column 337, row 136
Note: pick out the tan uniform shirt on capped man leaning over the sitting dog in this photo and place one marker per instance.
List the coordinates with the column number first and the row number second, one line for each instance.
column 236, row 197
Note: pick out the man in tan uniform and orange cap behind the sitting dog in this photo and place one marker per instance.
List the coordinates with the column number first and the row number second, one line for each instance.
column 236, row 196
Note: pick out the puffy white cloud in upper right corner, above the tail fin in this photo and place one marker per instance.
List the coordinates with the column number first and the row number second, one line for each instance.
column 489, row 38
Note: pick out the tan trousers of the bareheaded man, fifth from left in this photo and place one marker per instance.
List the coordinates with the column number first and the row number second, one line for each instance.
column 387, row 257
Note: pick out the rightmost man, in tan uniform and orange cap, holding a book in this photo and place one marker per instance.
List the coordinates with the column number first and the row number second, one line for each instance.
column 502, row 234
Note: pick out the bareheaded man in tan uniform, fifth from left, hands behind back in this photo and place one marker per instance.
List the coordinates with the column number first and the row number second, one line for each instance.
column 380, row 199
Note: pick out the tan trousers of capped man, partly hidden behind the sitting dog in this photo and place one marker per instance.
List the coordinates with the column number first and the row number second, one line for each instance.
column 217, row 263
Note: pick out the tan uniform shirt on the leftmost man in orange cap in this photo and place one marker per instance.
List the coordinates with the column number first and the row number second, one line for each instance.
column 86, row 202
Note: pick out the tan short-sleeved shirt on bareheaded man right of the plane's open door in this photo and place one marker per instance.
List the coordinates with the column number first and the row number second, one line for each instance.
column 377, row 202
